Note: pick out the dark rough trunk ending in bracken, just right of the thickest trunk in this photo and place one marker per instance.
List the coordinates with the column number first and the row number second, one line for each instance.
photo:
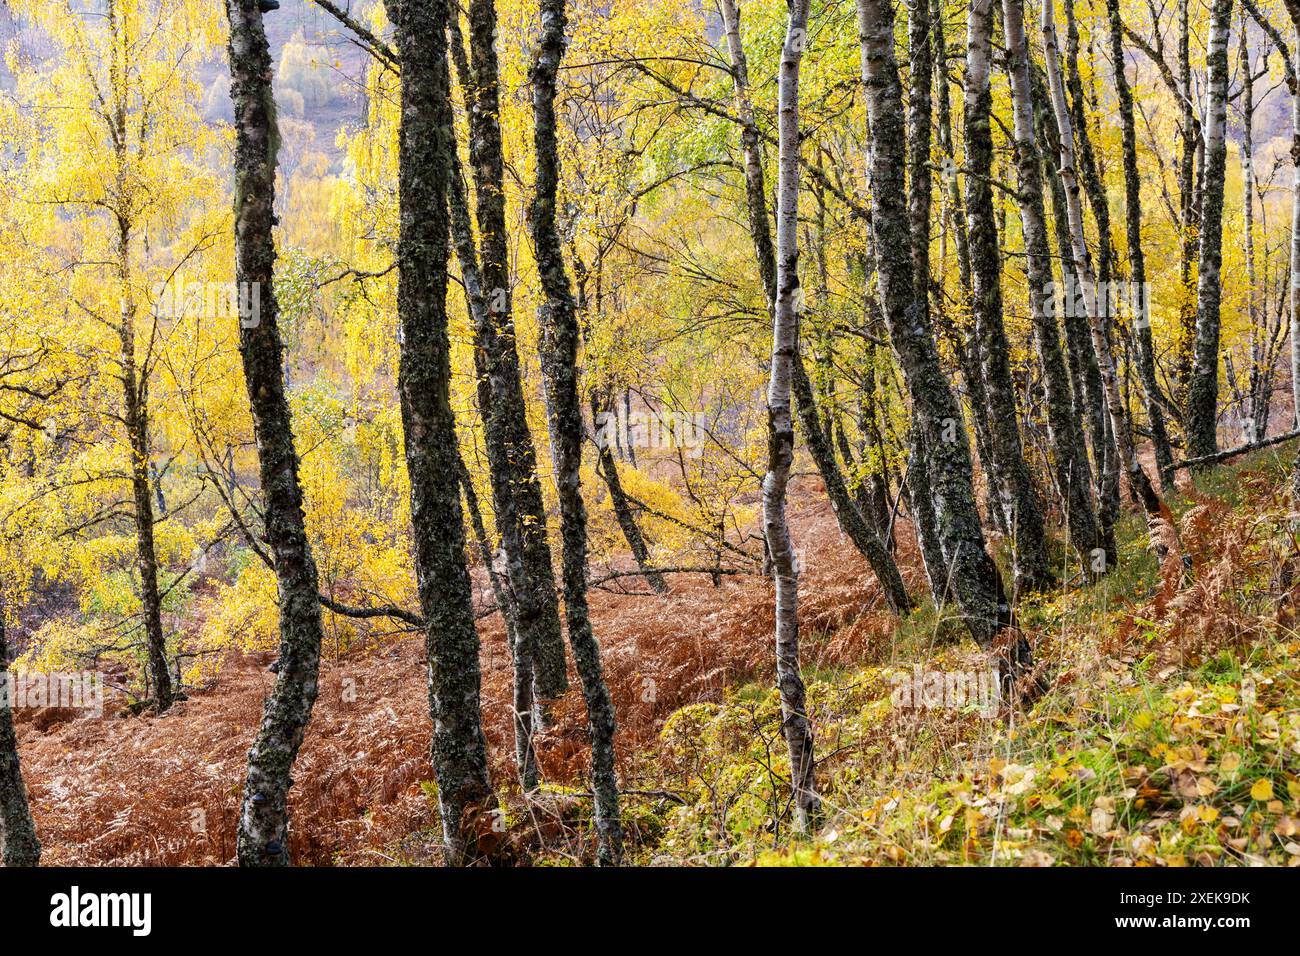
column 512, row 455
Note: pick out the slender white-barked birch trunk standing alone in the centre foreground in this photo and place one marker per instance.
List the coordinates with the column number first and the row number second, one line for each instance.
column 781, row 427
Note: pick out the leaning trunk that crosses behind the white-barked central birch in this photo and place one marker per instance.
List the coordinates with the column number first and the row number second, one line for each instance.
column 821, row 448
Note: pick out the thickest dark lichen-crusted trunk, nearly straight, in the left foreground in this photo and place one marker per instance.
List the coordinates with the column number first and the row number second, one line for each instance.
column 426, row 152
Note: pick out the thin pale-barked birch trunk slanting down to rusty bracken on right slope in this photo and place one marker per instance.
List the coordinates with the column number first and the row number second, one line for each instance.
column 1139, row 483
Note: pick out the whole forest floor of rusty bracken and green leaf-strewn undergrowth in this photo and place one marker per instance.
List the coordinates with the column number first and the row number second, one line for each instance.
column 1169, row 733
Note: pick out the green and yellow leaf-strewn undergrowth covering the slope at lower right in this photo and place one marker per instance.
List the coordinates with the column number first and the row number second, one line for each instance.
column 1169, row 734
